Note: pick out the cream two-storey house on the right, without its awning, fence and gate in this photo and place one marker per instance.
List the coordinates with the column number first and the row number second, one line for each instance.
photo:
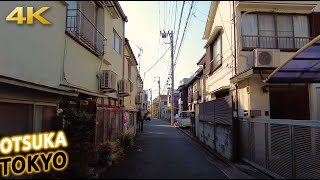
column 233, row 52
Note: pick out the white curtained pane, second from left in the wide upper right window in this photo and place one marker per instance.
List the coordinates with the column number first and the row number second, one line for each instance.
column 267, row 31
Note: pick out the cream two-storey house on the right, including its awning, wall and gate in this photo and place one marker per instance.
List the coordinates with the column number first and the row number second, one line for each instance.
column 261, row 73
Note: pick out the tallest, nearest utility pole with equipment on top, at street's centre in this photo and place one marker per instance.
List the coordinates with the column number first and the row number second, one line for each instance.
column 164, row 35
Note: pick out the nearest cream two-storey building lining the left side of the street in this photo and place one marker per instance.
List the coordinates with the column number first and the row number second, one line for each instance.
column 77, row 61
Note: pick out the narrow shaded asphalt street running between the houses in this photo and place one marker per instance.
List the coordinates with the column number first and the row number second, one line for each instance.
column 161, row 151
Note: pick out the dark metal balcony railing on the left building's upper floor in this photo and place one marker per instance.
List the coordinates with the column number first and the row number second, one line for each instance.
column 82, row 30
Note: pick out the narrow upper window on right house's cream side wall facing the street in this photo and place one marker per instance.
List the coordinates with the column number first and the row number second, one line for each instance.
column 215, row 55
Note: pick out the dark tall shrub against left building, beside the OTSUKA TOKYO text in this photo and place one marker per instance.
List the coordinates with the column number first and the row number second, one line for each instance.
column 79, row 128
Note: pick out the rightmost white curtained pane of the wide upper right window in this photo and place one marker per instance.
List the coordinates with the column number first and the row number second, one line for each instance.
column 301, row 29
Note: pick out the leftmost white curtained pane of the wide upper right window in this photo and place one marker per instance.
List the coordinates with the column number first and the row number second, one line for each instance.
column 249, row 27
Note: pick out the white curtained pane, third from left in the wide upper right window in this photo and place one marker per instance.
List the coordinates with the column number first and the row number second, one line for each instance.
column 285, row 31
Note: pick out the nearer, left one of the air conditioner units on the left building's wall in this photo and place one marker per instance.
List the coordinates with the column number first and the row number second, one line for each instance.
column 108, row 81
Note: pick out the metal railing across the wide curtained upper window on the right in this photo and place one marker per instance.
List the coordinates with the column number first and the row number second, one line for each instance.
column 250, row 42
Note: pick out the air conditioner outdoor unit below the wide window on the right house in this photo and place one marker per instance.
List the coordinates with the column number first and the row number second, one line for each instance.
column 266, row 57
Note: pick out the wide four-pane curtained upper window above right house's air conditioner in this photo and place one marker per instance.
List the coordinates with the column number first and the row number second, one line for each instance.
column 279, row 31
